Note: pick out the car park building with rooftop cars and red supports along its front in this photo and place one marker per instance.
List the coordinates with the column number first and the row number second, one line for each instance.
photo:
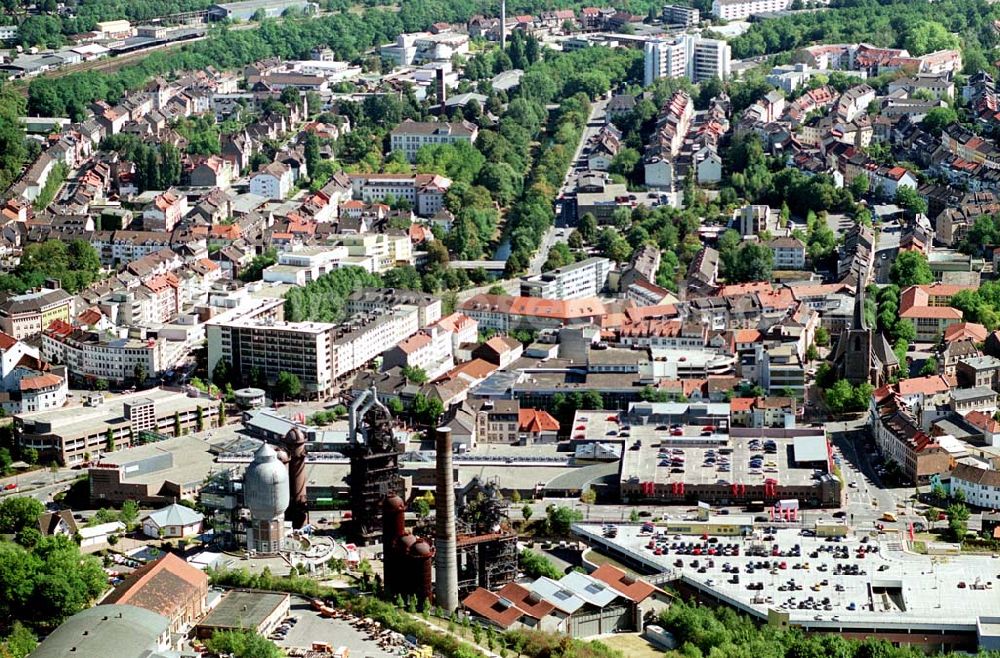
column 681, row 453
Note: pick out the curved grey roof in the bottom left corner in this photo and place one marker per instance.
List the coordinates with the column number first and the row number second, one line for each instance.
column 123, row 631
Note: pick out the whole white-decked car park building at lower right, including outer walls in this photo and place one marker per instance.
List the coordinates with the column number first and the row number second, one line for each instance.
column 858, row 586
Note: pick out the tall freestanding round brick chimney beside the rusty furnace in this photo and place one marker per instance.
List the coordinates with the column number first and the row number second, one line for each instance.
column 446, row 561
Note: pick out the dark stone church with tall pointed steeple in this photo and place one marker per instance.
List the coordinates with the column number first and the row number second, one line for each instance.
column 863, row 355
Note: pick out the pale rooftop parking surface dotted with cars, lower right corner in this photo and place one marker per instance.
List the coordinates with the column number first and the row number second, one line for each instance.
column 856, row 581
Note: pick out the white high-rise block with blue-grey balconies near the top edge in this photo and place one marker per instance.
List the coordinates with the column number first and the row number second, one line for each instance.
column 688, row 56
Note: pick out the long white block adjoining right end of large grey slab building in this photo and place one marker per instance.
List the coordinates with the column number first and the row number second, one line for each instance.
column 361, row 339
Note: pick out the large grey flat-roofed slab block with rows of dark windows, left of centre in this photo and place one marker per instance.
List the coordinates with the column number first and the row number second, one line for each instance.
column 254, row 337
